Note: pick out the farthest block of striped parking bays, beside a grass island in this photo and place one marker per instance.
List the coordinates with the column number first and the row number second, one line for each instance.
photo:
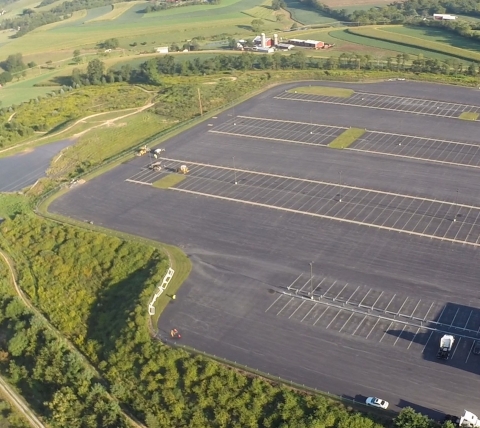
column 388, row 102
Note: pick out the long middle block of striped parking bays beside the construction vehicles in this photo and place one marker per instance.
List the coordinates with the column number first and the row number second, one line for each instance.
column 428, row 218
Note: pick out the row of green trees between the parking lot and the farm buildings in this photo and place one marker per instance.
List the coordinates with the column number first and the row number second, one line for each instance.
column 153, row 71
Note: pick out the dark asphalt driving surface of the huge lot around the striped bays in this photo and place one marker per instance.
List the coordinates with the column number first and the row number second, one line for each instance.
column 244, row 255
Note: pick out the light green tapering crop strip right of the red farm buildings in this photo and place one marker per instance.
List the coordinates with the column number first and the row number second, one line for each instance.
column 386, row 34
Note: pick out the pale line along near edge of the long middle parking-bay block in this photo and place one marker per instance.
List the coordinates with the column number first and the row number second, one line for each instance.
column 359, row 223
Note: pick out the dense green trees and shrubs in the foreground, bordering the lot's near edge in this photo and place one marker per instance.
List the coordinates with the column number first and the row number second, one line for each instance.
column 107, row 283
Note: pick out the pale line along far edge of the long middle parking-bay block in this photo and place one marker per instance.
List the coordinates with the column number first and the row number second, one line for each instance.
column 306, row 180
